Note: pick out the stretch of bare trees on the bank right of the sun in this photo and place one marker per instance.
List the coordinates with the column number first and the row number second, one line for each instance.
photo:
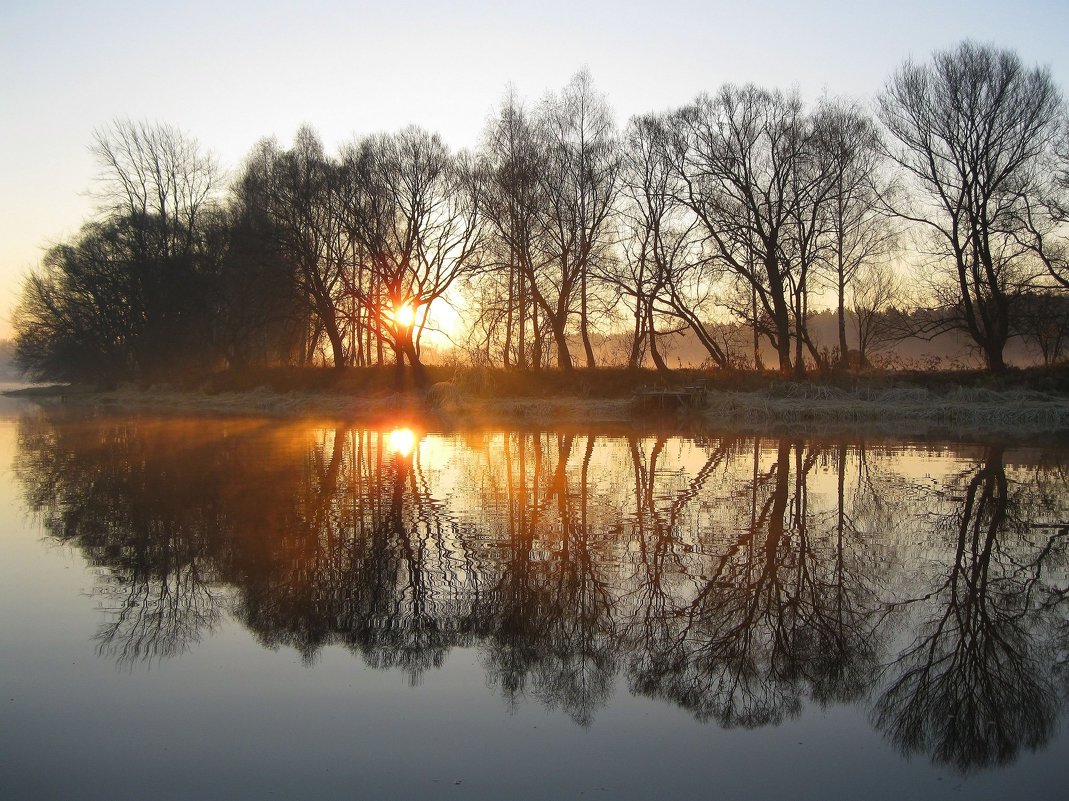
column 743, row 205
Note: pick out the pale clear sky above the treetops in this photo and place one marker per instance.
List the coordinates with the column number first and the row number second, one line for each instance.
column 233, row 72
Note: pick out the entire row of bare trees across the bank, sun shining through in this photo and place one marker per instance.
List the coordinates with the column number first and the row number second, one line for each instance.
column 946, row 209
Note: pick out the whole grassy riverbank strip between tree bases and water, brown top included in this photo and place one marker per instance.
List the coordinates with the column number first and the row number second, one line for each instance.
column 970, row 406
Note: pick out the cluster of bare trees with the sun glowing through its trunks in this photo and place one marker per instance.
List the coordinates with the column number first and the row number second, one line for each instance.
column 371, row 238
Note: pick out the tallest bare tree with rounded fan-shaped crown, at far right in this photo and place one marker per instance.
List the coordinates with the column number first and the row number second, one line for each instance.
column 969, row 129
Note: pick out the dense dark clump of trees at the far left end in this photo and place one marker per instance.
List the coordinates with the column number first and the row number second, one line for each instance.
column 132, row 295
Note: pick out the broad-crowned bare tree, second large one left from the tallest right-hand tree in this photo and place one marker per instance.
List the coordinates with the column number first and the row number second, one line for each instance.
column 742, row 160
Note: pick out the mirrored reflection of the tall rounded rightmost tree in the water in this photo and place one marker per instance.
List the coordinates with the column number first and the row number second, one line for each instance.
column 975, row 686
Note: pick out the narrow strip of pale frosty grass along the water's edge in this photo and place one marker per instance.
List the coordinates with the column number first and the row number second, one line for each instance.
column 903, row 412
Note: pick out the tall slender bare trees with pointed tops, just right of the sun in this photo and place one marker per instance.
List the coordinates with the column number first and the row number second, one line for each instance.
column 549, row 182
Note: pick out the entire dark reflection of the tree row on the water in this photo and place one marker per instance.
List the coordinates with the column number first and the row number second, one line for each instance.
column 738, row 578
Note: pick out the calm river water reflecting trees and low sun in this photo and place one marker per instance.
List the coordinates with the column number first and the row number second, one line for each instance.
column 225, row 609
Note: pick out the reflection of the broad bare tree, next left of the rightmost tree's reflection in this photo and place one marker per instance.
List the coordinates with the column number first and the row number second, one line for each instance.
column 785, row 611
